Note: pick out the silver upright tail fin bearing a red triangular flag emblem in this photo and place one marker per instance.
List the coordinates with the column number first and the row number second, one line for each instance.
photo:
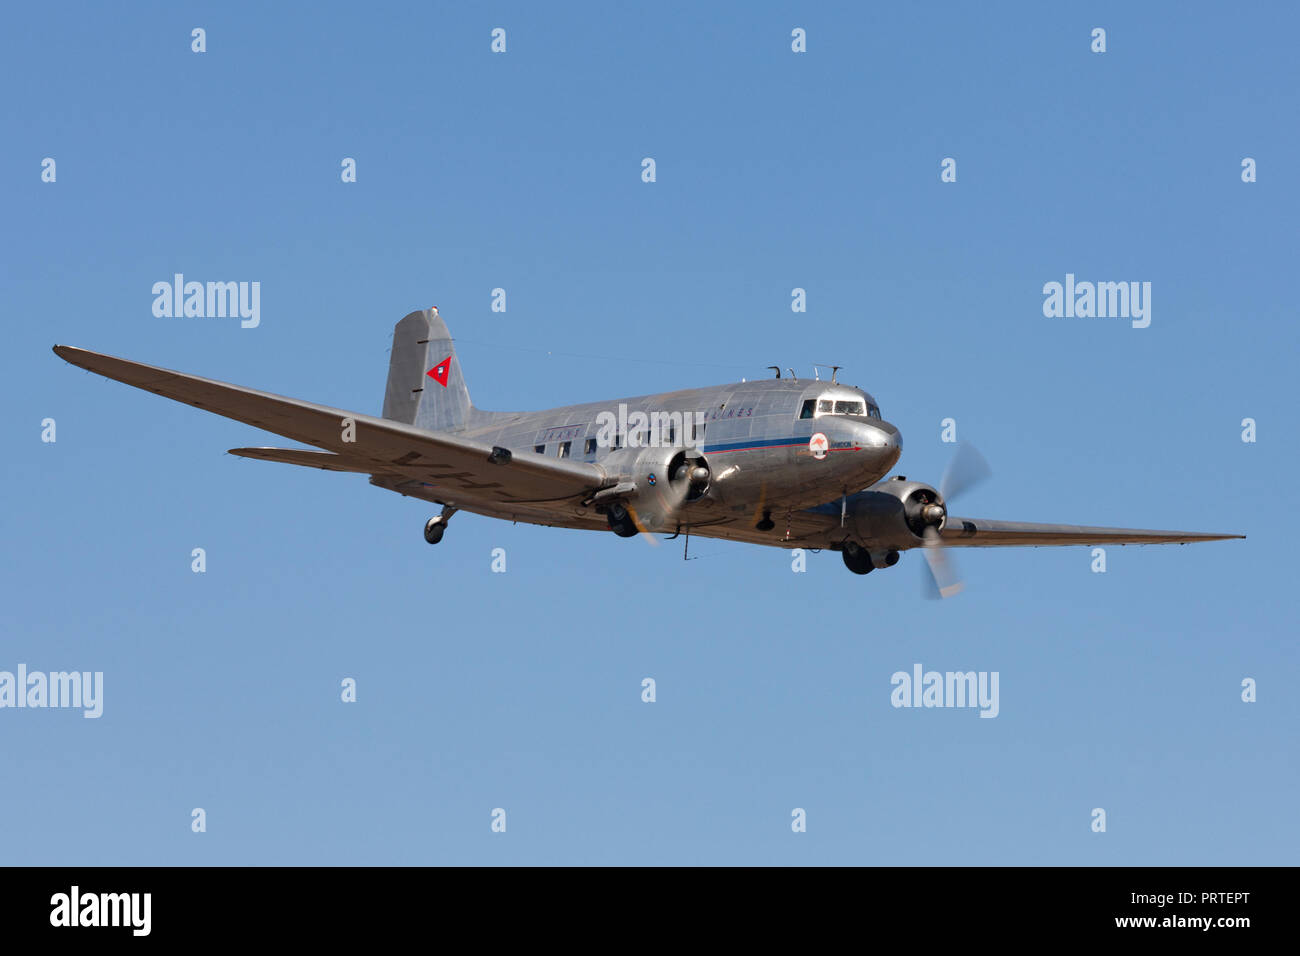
column 426, row 386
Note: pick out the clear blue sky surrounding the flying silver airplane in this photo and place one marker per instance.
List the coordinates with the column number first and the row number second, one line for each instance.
column 523, row 171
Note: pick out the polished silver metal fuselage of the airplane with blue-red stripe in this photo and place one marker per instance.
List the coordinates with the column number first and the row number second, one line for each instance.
column 759, row 449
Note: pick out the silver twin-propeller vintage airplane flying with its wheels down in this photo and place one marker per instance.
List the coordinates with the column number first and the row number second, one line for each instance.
column 779, row 462
